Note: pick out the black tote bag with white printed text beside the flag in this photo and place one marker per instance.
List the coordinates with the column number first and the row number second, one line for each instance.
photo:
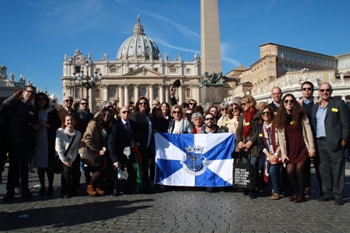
column 243, row 175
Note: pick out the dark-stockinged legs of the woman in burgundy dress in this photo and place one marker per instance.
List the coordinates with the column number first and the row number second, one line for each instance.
column 296, row 175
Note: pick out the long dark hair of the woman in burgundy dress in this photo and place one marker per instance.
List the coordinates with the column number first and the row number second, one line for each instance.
column 298, row 113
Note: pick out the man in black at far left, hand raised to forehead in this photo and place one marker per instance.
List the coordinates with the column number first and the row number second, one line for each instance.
column 20, row 132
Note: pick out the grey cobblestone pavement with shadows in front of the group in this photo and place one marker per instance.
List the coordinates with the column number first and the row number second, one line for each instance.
column 170, row 210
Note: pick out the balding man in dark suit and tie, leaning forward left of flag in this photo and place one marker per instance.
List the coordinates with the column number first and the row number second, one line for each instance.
column 124, row 134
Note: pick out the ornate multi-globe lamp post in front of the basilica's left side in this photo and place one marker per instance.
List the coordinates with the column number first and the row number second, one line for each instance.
column 86, row 81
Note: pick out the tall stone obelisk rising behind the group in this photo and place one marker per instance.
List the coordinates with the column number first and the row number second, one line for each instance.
column 211, row 82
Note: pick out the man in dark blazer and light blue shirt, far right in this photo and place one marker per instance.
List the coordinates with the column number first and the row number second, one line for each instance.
column 330, row 121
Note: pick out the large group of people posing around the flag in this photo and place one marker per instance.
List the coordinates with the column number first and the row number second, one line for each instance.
column 284, row 136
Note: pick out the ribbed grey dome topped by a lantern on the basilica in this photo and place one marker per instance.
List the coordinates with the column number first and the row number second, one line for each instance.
column 138, row 46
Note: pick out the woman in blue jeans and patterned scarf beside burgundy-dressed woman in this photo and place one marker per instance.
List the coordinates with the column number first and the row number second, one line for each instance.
column 269, row 145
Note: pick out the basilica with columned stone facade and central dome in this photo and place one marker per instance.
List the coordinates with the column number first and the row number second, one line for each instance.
column 139, row 69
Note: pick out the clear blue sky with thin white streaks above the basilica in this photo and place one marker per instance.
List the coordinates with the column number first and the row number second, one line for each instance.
column 36, row 34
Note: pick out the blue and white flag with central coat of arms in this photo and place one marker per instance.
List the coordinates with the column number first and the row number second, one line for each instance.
column 202, row 160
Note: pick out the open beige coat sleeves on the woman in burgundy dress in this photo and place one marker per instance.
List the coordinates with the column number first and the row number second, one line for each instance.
column 307, row 134
